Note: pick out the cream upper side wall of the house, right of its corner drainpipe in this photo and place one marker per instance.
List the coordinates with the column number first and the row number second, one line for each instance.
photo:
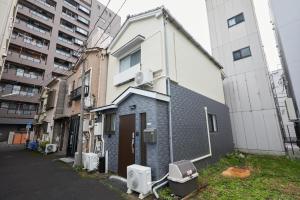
column 191, row 68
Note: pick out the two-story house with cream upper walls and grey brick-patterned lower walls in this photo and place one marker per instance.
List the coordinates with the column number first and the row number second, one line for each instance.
column 164, row 97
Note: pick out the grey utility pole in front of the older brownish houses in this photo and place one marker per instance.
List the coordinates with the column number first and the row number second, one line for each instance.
column 78, row 162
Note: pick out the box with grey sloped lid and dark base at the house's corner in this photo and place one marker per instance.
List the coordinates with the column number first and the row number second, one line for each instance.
column 183, row 178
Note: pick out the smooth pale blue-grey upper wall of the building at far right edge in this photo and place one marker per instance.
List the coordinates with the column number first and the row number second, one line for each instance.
column 286, row 18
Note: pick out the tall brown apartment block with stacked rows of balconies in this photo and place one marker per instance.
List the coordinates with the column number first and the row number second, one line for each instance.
column 45, row 41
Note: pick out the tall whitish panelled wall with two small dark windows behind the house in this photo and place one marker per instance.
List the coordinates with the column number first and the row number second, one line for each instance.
column 247, row 87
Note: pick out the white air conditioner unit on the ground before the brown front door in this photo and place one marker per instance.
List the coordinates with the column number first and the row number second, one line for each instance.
column 139, row 180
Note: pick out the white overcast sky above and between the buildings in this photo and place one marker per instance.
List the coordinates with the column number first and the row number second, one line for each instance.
column 192, row 15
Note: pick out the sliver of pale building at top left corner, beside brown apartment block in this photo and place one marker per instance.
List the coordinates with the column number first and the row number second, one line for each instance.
column 7, row 16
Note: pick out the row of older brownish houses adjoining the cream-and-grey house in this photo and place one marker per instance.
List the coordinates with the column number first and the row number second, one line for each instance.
column 58, row 116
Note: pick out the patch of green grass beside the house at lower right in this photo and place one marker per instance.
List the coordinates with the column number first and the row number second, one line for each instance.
column 271, row 178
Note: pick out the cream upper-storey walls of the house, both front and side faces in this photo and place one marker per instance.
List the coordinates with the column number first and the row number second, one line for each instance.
column 189, row 67
